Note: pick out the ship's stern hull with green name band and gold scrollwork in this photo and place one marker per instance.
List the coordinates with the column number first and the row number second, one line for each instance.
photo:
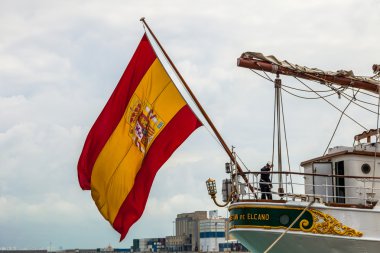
column 342, row 229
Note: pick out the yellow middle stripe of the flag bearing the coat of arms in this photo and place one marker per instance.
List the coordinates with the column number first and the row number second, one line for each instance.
column 124, row 151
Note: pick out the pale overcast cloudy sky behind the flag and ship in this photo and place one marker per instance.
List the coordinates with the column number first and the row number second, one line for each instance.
column 60, row 61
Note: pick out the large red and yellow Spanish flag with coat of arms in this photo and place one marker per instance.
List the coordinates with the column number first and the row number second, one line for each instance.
column 142, row 124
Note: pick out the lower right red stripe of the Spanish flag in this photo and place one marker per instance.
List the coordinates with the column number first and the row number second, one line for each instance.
column 171, row 137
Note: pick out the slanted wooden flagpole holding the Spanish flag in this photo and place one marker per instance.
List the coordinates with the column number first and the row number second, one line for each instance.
column 220, row 138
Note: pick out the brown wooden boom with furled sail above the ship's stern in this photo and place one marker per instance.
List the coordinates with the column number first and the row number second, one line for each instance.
column 340, row 80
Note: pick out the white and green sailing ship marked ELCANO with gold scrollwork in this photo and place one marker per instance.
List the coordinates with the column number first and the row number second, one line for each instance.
column 337, row 208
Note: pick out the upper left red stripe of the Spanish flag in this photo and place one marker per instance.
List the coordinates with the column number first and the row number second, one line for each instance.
column 112, row 113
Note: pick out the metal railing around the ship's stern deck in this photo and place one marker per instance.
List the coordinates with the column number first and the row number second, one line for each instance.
column 357, row 190
